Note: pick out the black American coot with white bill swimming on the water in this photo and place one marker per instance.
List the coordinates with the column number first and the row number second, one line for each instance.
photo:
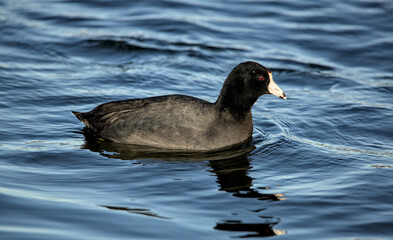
column 183, row 122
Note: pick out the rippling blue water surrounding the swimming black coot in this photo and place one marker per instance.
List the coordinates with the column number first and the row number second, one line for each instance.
column 320, row 163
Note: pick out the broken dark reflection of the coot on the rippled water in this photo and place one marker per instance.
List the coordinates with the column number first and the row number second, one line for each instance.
column 231, row 168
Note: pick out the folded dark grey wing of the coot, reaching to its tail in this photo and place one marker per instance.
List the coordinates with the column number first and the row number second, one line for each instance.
column 148, row 120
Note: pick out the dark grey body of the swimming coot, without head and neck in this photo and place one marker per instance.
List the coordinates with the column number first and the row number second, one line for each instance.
column 139, row 121
